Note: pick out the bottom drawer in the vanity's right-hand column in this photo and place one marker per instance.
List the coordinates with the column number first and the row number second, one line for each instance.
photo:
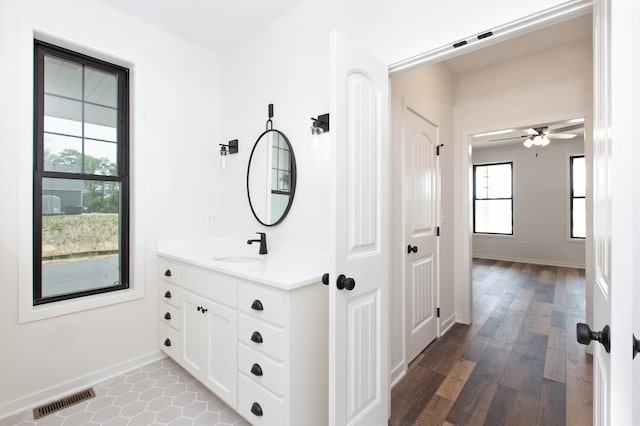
column 257, row 405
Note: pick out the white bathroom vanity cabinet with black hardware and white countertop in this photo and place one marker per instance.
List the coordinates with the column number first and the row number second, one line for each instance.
column 256, row 334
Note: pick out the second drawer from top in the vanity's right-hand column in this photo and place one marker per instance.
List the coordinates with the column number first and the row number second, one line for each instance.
column 273, row 338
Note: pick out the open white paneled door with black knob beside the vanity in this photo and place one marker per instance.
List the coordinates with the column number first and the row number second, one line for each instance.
column 358, row 358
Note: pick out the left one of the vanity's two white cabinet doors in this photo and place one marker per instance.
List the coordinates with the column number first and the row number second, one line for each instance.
column 195, row 335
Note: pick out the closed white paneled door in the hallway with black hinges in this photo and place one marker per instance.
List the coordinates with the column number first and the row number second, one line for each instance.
column 421, row 193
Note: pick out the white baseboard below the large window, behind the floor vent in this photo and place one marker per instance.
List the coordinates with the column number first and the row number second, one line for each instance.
column 58, row 391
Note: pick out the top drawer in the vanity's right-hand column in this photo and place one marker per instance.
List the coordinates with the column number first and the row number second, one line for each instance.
column 264, row 304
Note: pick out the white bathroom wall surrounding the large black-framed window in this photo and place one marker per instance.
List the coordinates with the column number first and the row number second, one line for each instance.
column 175, row 126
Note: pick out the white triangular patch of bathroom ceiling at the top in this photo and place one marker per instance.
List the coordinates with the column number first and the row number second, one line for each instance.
column 214, row 24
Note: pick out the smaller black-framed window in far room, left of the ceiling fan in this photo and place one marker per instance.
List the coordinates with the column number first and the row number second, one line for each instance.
column 493, row 198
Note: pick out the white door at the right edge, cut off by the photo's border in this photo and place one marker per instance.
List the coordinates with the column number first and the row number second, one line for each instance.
column 613, row 212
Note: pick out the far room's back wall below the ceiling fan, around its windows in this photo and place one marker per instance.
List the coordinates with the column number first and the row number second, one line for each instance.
column 541, row 189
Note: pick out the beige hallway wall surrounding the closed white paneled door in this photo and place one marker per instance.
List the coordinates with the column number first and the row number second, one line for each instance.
column 428, row 90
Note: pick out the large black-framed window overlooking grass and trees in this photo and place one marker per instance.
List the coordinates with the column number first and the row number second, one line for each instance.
column 80, row 175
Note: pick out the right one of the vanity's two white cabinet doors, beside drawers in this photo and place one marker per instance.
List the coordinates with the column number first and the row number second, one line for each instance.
column 223, row 341
